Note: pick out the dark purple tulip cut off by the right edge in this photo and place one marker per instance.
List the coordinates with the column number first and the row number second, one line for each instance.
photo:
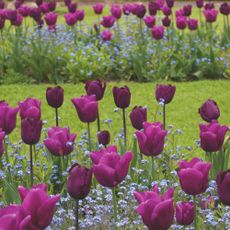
column 223, row 186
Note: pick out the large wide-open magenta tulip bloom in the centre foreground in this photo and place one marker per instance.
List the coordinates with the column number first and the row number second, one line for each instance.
column 109, row 167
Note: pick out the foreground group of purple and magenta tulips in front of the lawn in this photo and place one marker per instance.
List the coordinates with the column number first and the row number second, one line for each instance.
column 108, row 166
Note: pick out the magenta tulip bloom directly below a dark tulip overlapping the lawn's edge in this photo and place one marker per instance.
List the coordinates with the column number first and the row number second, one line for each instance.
column 87, row 108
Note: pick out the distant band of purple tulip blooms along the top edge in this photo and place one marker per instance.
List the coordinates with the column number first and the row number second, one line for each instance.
column 45, row 12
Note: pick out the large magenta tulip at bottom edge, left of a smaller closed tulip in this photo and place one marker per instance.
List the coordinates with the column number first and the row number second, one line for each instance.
column 157, row 211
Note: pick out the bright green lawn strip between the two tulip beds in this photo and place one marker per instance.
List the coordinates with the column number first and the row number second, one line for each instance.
column 181, row 112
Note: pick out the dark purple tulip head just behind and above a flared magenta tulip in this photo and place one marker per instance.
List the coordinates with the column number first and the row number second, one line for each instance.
column 96, row 87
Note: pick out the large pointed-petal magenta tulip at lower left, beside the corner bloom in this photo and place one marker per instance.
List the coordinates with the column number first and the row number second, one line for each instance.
column 38, row 204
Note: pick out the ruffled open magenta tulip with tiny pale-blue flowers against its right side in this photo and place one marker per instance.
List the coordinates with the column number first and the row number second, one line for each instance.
column 60, row 141
